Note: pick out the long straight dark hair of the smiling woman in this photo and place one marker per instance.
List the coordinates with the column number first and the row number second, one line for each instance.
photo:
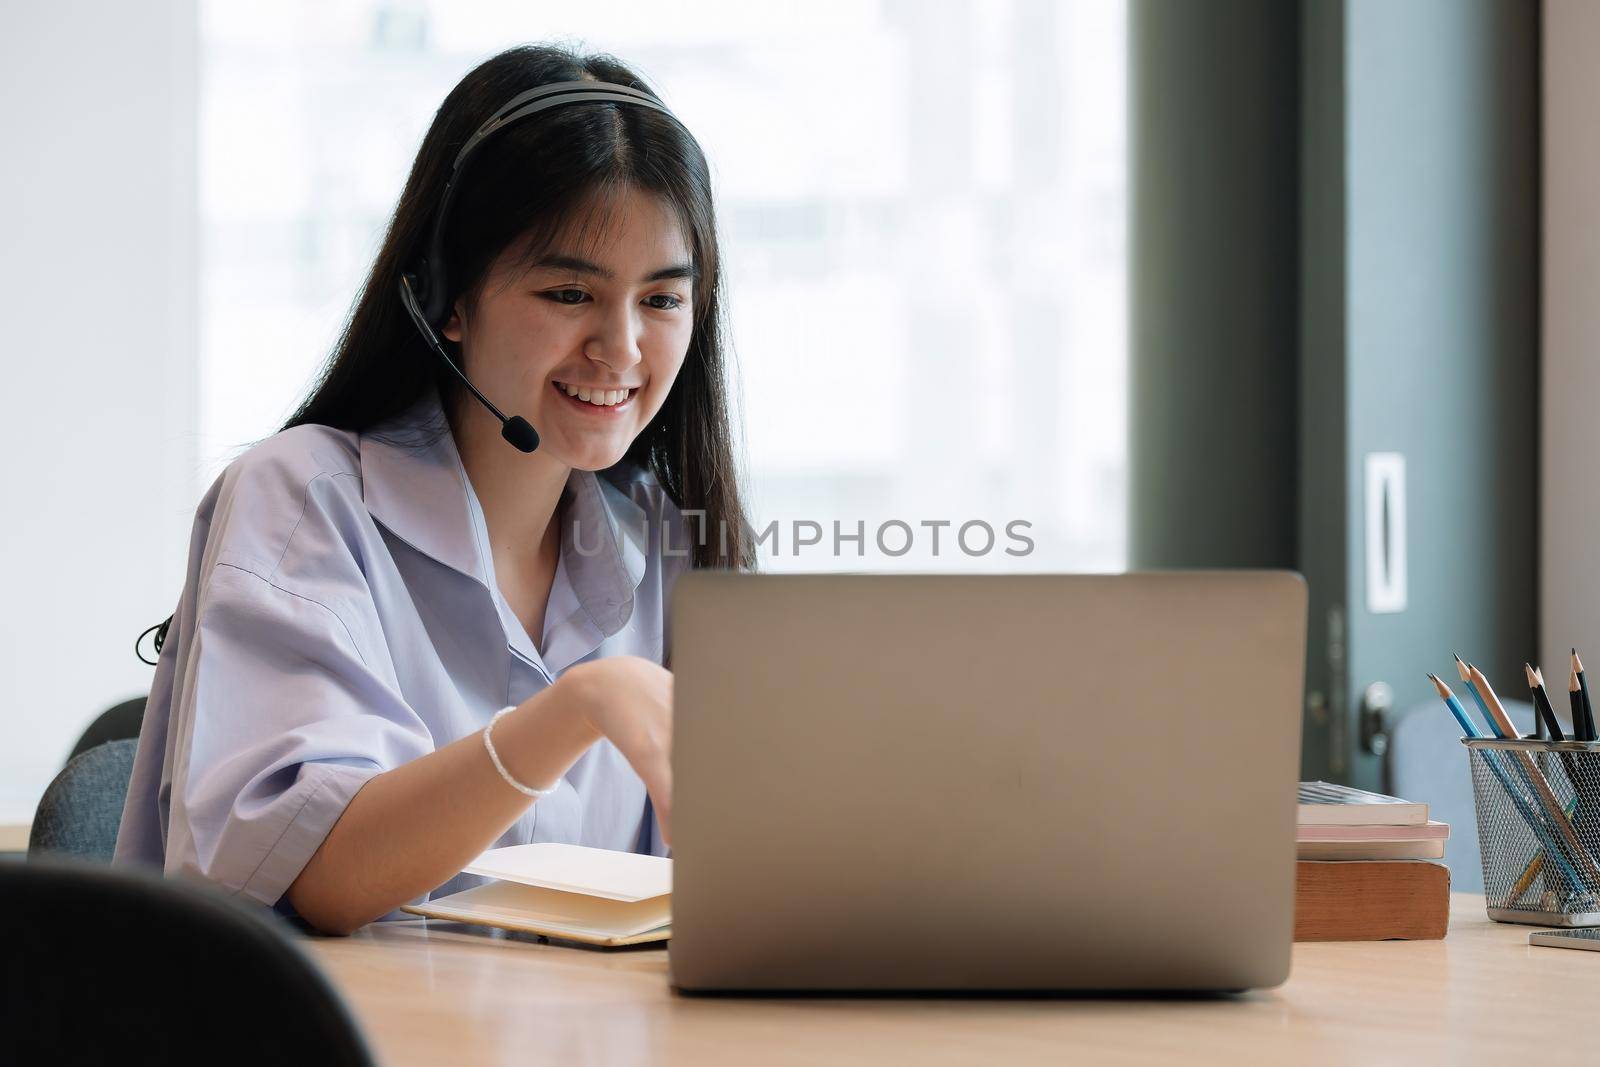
column 522, row 185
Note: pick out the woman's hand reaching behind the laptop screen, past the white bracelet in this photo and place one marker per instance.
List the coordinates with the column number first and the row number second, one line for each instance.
column 630, row 700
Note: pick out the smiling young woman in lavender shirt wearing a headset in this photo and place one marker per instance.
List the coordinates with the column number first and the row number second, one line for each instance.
column 404, row 641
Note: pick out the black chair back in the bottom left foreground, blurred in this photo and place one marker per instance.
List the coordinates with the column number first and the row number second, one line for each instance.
column 121, row 967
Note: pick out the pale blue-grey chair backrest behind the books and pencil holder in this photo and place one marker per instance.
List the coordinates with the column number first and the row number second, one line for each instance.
column 1430, row 764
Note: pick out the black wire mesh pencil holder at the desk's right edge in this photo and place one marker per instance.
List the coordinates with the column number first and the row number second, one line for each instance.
column 1538, row 805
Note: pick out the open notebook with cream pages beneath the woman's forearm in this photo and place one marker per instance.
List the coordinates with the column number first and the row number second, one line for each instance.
column 569, row 892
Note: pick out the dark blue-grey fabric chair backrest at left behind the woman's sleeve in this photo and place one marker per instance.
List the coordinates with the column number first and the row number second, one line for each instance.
column 82, row 807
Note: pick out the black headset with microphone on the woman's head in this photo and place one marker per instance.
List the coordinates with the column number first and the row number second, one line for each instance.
column 426, row 290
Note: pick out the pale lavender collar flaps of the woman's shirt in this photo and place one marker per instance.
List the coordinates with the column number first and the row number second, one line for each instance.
column 415, row 486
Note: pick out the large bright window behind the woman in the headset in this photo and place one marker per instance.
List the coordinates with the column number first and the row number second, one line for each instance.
column 922, row 206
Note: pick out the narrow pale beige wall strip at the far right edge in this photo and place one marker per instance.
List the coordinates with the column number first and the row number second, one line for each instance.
column 1570, row 438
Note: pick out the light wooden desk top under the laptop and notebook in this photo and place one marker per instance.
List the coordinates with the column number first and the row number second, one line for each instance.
column 439, row 993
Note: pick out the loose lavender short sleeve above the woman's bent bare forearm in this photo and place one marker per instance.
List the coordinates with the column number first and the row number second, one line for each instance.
column 281, row 722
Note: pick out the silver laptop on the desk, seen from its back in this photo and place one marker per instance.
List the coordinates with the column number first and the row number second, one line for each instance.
column 982, row 783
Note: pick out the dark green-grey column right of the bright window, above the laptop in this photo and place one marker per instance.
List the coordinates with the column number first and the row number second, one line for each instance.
column 1214, row 250
